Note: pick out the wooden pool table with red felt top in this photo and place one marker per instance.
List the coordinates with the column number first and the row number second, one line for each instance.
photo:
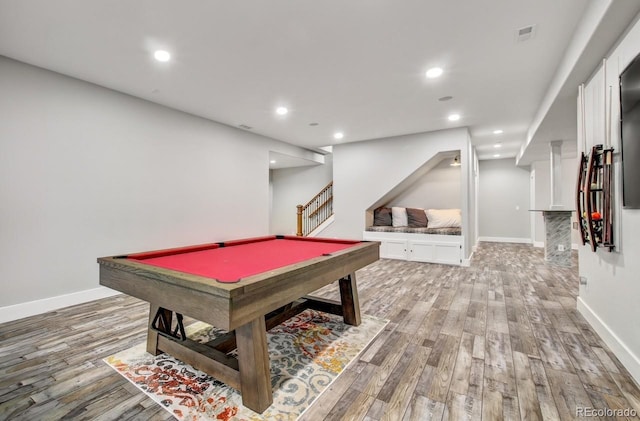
column 244, row 287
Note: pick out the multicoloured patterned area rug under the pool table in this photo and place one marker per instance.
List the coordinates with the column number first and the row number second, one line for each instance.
column 307, row 354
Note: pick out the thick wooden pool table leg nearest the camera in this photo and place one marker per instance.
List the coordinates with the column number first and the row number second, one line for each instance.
column 253, row 361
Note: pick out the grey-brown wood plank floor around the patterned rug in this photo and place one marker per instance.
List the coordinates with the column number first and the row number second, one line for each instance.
column 499, row 340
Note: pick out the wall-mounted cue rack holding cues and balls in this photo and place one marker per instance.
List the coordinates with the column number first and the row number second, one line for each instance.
column 593, row 198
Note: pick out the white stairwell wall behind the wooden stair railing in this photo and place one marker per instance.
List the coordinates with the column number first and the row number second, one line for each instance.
column 292, row 187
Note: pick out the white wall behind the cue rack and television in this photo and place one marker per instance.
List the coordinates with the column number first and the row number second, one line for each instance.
column 610, row 299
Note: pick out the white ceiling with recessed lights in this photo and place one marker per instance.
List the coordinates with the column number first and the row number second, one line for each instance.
column 355, row 66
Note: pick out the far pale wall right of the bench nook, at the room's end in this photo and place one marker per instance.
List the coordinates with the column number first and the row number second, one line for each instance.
column 503, row 201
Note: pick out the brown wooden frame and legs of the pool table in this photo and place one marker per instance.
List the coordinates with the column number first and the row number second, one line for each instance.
column 246, row 309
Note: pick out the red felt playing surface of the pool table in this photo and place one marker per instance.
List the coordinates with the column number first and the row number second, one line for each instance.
column 230, row 262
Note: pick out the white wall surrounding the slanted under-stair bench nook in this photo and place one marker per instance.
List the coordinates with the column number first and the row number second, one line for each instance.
column 363, row 172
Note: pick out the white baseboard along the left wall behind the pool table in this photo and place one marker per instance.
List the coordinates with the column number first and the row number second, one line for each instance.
column 31, row 308
